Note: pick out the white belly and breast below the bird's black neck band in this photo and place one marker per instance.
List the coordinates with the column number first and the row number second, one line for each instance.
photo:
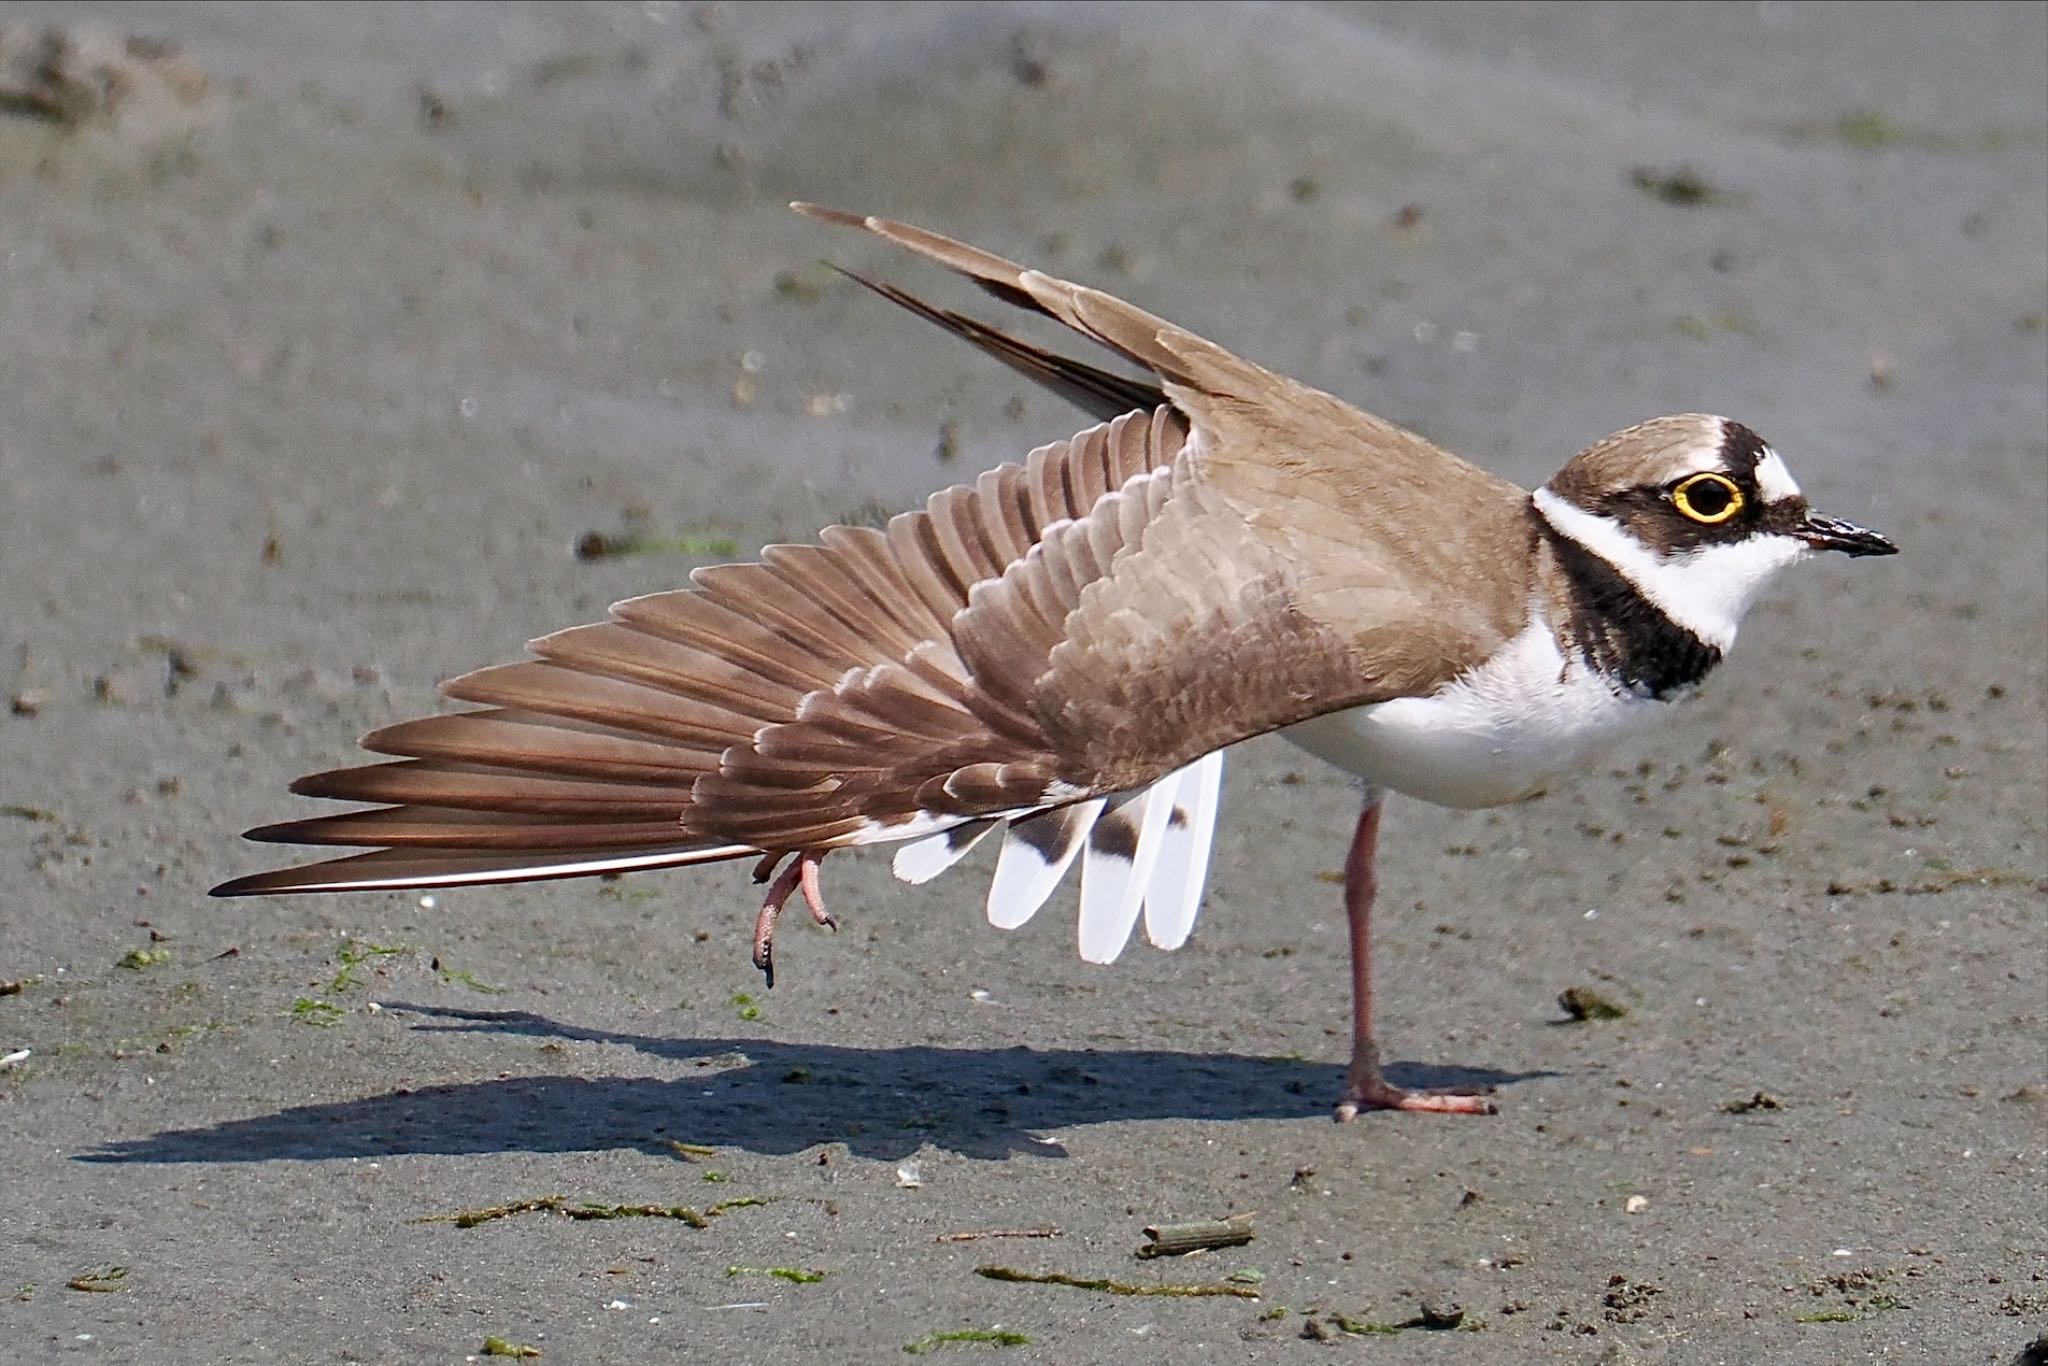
column 1494, row 736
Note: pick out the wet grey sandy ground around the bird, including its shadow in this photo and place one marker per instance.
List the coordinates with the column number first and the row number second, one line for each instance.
column 325, row 343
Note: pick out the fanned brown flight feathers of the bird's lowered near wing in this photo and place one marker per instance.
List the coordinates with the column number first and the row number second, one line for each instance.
column 808, row 701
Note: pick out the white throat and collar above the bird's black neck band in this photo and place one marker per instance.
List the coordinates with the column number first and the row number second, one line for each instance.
column 1707, row 591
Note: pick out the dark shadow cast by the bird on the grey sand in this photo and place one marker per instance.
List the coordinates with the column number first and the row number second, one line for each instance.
column 779, row 1099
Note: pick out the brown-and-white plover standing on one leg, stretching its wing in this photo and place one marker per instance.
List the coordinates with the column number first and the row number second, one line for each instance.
column 1062, row 650
